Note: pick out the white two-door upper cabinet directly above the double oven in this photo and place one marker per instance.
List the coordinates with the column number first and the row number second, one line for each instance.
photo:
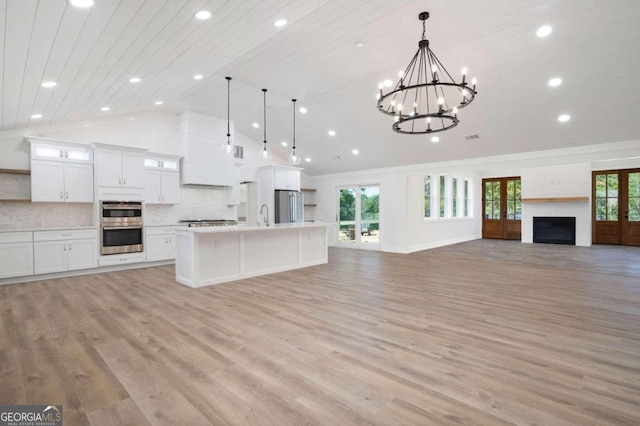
column 119, row 172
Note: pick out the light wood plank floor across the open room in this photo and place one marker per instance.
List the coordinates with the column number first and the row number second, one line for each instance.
column 486, row 332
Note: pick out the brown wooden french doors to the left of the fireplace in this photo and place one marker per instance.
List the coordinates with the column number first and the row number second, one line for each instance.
column 501, row 208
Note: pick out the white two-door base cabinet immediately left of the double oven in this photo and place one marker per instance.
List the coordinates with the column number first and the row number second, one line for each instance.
column 58, row 251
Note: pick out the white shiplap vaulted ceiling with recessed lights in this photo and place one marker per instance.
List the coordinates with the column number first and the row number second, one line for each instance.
column 92, row 53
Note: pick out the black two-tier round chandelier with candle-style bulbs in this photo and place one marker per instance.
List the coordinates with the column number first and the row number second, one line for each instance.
column 426, row 99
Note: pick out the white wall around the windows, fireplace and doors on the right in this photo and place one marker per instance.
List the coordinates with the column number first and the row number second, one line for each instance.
column 550, row 173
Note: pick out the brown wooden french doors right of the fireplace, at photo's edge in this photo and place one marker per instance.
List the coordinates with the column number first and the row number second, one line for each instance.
column 616, row 207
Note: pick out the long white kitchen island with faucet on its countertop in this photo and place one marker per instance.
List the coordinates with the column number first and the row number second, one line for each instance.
column 214, row 255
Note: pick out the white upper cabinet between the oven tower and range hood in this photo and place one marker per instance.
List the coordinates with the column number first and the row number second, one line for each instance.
column 162, row 180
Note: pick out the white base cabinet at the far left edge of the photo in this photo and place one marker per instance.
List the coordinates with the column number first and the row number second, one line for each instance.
column 16, row 254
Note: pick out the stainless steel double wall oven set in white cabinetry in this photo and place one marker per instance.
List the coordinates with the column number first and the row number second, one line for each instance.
column 120, row 227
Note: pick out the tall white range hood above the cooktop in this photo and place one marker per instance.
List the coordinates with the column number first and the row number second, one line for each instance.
column 204, row 162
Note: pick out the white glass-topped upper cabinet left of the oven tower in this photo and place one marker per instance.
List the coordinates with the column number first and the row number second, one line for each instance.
column 61, row 171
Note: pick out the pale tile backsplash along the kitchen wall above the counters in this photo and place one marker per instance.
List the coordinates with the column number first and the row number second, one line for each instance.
column 195, row 203
